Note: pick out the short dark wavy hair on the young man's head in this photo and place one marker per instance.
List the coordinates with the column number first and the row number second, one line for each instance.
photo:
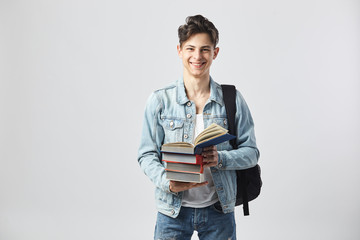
column 197, row 24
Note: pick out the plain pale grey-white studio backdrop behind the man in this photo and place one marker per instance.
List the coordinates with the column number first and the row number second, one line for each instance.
column 75, row 76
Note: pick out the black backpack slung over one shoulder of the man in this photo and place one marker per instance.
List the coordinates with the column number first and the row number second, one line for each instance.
column 248, row 180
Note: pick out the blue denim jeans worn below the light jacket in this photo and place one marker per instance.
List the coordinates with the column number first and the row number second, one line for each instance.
column 210, row 223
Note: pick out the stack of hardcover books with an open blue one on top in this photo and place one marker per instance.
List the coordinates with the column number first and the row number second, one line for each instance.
column 184, row 161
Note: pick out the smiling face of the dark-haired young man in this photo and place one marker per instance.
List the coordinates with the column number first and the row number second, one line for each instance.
column 197, row 54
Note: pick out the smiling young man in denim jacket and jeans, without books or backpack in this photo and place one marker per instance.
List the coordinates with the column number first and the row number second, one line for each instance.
column 178, row 113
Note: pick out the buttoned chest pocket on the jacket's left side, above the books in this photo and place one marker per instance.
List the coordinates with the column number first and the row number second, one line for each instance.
column 174, row 129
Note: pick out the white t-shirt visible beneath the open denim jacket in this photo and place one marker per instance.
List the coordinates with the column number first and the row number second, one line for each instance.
column 204, row 196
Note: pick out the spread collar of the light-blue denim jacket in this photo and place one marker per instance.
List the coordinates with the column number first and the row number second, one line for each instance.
column 215, row 92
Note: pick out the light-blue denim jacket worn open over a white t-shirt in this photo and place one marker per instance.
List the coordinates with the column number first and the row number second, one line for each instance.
column 170, row 117
